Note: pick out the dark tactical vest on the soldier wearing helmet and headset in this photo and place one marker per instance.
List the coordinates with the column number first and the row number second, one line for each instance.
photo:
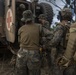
column 64, row 39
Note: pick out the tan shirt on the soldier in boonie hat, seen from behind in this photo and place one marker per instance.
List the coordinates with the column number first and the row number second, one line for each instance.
column 29, row 36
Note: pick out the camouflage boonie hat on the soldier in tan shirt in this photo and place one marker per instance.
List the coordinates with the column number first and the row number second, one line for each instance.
column 27, row 16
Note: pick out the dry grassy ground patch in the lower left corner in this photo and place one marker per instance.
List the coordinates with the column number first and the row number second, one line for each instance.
column 5, row 67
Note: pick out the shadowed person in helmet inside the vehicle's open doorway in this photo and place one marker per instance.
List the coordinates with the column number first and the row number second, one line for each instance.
column 20, row 9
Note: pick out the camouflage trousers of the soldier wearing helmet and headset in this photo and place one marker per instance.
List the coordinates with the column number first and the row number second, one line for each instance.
column 55, row 69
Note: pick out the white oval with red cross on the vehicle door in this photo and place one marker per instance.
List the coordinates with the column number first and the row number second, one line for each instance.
column 9, row 19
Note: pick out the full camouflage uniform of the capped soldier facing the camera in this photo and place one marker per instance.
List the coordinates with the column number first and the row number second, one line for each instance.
column 46, row 37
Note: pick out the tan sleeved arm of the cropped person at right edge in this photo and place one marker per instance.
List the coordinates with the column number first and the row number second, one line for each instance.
column 71, row 46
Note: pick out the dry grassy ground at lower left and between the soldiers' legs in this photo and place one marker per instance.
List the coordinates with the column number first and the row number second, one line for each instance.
column 7, row 69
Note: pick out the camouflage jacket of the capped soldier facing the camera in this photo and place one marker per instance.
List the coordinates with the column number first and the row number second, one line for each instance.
column 46, row 35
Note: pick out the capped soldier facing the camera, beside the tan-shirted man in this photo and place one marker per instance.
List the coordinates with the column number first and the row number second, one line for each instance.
column 46, row 33
